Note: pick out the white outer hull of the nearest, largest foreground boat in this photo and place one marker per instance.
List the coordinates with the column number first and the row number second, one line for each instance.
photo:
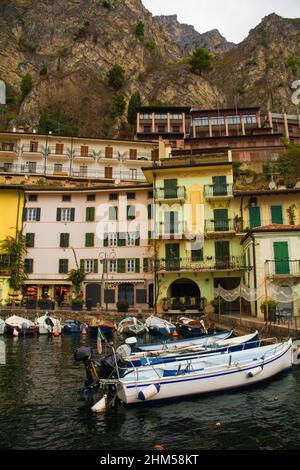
column 231, row 377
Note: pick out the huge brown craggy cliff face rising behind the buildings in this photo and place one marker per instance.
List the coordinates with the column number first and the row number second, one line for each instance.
column 78, row 41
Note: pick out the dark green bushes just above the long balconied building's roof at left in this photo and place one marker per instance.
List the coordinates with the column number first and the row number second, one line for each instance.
column 57, row 122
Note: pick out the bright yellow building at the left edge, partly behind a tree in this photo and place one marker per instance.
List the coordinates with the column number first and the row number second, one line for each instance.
column 11, row 208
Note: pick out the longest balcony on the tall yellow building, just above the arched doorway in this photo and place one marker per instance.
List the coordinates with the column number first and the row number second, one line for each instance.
column 208, row 264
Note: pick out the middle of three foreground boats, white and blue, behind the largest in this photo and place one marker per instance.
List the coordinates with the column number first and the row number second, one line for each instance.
column 137, row 359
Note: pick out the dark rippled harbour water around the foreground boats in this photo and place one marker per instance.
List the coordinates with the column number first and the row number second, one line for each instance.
column 39, row 409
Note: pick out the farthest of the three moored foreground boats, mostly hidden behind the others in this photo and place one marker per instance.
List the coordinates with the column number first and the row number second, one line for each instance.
column 173, row 345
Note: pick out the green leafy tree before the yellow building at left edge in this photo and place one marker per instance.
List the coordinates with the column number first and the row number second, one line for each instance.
column 15, row 249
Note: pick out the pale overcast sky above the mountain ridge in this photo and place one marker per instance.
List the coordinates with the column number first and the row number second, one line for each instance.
column 233, row 18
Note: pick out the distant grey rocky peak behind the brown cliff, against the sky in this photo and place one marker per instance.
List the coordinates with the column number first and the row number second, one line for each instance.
column 187, row 38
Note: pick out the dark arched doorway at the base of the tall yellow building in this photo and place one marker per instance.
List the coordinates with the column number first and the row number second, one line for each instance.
column 185, row 294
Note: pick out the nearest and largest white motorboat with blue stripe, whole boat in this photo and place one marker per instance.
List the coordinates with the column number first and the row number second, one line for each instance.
column 202, row 375
